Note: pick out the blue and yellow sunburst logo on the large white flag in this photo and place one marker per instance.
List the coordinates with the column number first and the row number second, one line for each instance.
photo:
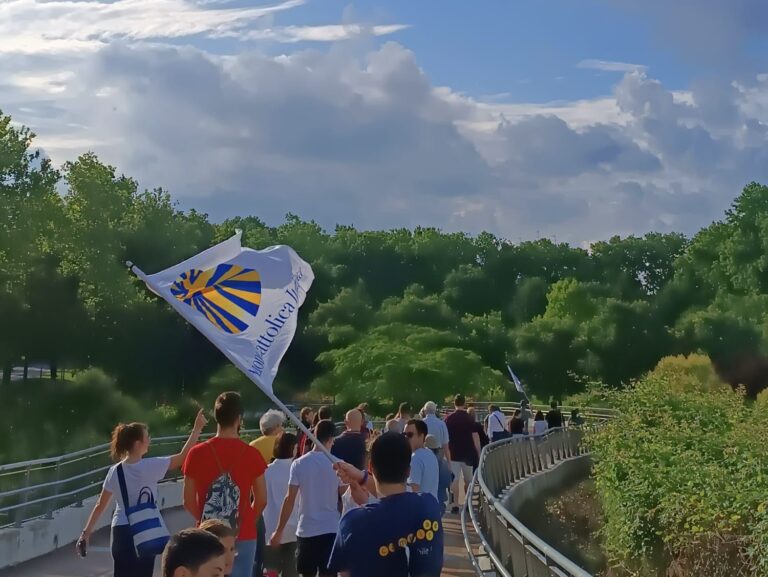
column 225, row 295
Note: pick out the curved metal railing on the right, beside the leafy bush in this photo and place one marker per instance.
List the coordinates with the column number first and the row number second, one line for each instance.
column 507, row 548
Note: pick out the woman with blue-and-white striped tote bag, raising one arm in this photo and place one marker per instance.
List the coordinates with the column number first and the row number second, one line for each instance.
column 138, row 531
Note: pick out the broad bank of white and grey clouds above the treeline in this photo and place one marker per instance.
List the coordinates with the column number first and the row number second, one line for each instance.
column 362, row 136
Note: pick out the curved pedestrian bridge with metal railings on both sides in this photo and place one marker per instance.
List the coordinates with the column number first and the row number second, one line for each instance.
column 45, row 503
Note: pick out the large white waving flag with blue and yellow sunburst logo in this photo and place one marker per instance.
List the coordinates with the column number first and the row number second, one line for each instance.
column 244, row 301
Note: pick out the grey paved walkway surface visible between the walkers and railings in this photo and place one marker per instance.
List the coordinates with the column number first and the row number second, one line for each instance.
column 64, row 562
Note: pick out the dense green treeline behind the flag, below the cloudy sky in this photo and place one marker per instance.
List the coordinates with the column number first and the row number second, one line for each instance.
column 393, row 315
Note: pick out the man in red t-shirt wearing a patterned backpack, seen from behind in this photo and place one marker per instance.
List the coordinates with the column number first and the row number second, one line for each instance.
column 210, row 462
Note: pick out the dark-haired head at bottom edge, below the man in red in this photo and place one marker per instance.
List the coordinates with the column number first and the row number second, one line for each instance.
column 193, row 553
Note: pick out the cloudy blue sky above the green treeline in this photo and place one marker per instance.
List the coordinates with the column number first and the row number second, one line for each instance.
column 573, row 120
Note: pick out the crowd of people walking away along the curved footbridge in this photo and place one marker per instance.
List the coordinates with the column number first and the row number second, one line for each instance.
column 359, row 503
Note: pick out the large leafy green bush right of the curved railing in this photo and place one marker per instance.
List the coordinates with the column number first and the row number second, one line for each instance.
column 681, row 475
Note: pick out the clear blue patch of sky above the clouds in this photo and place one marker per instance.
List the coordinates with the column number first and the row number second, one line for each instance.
column 521, row 51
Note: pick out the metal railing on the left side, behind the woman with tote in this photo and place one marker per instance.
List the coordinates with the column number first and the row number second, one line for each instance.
column 35, row 489
